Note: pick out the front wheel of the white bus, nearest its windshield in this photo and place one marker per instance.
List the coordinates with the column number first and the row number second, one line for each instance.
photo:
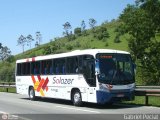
column 76, row 98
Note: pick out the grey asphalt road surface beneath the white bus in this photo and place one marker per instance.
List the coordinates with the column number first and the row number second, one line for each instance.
column 15, row 106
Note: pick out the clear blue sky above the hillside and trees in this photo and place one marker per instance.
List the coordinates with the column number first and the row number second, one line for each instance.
column 24, row 17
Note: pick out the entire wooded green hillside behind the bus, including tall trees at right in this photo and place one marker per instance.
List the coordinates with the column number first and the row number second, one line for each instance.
column 137, row 30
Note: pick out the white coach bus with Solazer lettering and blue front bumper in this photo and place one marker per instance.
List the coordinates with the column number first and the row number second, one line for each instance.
column 93, row 75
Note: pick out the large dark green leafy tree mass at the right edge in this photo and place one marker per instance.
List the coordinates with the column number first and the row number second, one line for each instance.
column 142, row 22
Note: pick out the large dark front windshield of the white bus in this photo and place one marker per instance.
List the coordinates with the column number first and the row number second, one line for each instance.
column 115, row 69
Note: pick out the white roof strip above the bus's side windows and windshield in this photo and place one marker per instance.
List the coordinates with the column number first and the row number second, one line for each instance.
column 72, row 53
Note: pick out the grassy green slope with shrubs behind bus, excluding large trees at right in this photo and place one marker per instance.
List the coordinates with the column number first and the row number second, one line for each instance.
column 103, row 36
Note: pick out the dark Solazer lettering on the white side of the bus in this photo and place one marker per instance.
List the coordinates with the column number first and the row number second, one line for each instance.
column 62, row 80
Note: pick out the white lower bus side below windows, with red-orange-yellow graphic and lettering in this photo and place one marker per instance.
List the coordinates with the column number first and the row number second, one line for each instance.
column 56, row 86
